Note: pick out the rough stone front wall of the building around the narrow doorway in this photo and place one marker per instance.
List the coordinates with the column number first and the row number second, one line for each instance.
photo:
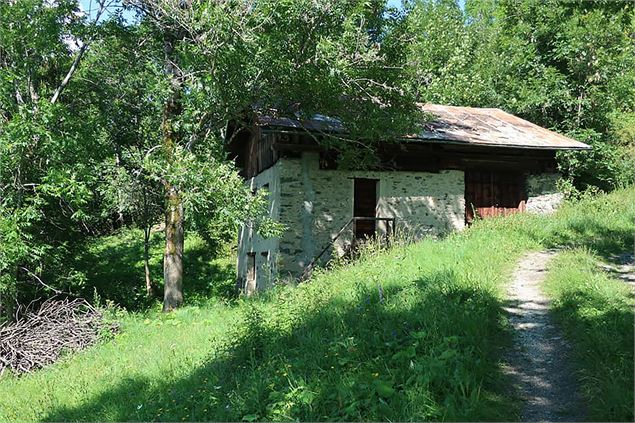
column 315, row 204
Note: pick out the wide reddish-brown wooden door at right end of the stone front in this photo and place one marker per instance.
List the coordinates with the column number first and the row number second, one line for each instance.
column 490, row 193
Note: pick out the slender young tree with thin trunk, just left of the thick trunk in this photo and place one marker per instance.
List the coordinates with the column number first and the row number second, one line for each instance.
column 120, row 88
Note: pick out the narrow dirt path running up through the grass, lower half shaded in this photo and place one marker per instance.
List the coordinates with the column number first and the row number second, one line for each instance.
column 539, row 361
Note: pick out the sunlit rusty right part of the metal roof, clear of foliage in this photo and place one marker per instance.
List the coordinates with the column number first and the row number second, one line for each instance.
column 491, row 127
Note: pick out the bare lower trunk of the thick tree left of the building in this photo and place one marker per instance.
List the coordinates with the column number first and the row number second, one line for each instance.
column 173, row 258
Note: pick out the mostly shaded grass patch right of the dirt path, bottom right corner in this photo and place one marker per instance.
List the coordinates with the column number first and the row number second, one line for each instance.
column 603, row 333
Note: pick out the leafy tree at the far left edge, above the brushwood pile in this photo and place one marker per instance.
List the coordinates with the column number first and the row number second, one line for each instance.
column 46, row 140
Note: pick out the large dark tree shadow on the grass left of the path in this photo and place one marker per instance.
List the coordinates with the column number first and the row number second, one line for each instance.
column 426, row 350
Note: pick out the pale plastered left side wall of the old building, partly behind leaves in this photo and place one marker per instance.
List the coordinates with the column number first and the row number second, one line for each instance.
column 254, row 251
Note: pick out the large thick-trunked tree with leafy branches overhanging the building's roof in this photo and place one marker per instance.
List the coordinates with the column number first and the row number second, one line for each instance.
column 298, row 58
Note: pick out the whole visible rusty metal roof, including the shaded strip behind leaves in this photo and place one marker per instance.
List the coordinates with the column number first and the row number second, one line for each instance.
column 455, row 125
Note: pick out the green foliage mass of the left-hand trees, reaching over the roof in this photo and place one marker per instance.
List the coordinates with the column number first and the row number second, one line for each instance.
column 92, row 160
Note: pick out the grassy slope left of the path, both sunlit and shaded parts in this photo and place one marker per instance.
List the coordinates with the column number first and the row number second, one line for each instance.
column 410, row 334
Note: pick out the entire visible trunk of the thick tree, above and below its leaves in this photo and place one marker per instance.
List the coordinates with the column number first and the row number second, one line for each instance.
column 173, row 257
